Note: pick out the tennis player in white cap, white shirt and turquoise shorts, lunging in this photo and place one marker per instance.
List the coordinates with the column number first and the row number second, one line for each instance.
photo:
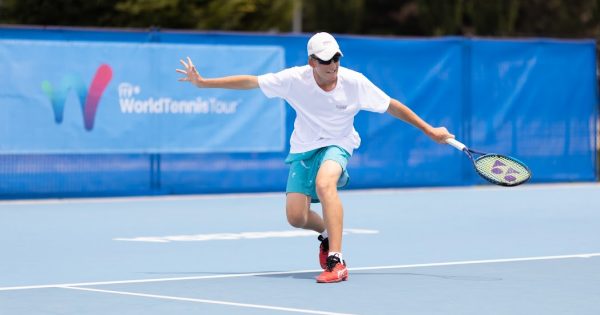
column 326, row 97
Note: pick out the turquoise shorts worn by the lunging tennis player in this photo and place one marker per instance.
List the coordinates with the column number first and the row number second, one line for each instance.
column 305, row 166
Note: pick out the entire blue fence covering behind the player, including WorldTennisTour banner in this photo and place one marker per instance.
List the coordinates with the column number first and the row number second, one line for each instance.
column 534, row 99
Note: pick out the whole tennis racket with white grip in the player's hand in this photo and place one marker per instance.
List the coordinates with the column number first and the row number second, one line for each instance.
column 495, row 168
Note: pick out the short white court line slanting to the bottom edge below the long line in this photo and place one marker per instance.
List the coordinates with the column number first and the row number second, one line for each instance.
column 166, row 297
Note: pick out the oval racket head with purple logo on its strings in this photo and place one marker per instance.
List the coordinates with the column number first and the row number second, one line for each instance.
column 501, row 169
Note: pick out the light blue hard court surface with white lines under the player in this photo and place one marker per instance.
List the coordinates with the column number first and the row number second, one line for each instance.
column 533, row 249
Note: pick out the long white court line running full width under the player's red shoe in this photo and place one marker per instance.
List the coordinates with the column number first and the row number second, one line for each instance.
column 257, row 274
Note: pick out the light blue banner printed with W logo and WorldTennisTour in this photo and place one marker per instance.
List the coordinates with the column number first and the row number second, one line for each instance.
column 107, row 97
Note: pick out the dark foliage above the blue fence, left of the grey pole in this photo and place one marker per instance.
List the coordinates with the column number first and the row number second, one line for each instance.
column 241, row 15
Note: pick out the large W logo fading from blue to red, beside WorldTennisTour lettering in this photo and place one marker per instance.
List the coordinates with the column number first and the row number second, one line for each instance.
column 88, row 98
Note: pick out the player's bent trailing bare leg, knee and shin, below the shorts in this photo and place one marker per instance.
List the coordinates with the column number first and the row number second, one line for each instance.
column 299, row 214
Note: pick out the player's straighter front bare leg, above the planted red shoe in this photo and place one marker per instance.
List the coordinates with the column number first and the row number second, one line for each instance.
column 333, row 213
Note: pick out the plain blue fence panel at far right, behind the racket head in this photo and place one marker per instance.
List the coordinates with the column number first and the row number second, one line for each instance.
column 536, row 100
